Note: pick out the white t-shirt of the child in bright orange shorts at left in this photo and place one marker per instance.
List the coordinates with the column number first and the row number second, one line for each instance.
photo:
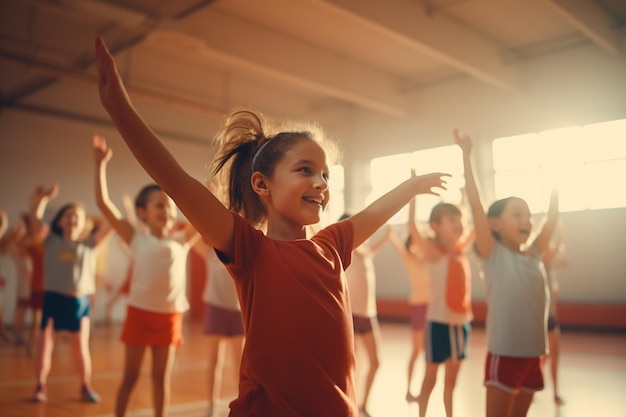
column 159, row 280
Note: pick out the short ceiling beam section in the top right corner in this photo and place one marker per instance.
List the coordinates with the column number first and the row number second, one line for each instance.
column 589, row 19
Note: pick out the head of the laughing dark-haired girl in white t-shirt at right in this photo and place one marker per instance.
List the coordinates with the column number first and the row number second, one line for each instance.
column 513, row 226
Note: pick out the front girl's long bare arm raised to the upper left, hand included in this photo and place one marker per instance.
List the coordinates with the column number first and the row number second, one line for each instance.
column 207, row 214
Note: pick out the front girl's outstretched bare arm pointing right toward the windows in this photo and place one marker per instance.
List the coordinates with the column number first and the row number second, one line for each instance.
column 368, row 220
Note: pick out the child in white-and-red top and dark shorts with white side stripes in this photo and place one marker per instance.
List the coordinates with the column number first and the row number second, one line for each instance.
column 449, row 310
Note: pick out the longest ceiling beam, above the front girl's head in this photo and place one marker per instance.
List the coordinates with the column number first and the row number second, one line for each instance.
column 270, row 54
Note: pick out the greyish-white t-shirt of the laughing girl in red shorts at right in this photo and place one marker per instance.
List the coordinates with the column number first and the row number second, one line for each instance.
column 517, row 300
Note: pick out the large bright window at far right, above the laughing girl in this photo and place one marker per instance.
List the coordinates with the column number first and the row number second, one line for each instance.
column 584, row 163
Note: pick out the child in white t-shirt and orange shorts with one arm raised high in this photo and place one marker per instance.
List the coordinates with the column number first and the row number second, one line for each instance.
column 157, row 297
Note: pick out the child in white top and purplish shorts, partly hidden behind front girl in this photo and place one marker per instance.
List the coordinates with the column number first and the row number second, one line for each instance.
column 361, row 280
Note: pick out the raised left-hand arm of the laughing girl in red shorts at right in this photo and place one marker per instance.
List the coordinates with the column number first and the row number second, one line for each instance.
column 482, row 230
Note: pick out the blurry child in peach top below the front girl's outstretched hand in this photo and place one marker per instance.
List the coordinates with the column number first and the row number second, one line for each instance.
column 419, row 293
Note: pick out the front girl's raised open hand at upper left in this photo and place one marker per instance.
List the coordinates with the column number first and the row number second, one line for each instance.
column 110, row 85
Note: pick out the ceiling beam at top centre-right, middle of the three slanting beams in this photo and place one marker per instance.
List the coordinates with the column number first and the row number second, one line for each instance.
column 435, row 35
